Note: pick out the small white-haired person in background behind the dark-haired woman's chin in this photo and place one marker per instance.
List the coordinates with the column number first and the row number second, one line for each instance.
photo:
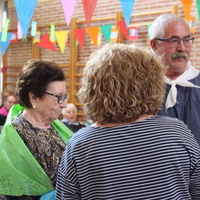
column 70, row 118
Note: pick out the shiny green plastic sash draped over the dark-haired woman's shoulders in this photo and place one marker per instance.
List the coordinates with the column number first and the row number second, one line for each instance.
column 20, row 173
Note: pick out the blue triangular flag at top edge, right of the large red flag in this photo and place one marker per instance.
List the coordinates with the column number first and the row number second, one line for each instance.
column 127, row 8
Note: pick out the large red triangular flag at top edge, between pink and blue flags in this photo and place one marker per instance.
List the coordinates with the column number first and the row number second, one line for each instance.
column 89, row 6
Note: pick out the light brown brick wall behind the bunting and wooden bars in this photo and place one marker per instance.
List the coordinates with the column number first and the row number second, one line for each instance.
column 51, row 12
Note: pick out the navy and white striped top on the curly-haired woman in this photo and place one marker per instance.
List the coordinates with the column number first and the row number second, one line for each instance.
column 154, row 159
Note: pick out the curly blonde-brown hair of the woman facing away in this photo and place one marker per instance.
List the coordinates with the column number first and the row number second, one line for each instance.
column 121, row 82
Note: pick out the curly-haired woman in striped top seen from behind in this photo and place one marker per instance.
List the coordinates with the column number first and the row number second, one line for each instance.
column 129, row 152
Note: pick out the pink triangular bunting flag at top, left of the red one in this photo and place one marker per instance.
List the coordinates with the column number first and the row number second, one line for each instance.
column 68, row 8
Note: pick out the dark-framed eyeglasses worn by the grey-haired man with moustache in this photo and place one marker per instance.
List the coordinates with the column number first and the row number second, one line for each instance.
column 175, row 41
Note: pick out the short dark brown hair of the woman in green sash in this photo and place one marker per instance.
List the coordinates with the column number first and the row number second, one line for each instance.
column 35, row 77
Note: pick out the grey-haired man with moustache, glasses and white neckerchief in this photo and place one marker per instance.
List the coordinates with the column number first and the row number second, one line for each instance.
column 172, row 40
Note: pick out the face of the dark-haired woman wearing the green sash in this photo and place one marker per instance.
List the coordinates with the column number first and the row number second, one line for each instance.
column 48, row 105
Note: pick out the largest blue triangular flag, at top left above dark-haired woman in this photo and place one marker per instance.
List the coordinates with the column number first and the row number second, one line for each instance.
column 25, row 12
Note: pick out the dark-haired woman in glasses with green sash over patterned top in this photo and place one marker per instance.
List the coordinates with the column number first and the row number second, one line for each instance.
column 33, row 133
